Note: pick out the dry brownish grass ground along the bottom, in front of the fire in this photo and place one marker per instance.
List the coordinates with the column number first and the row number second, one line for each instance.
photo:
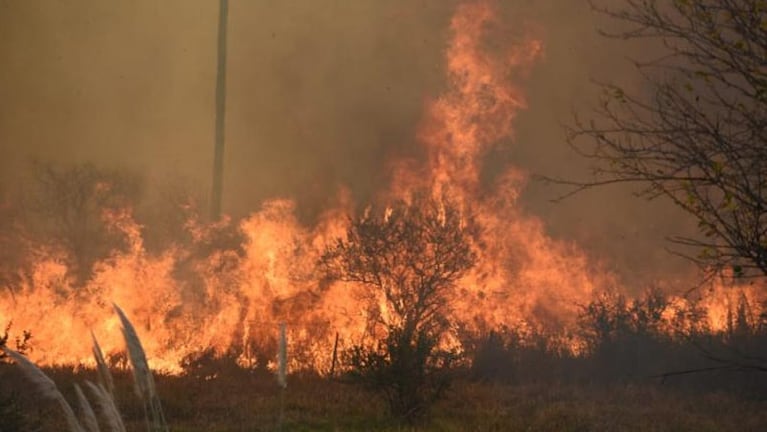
column 250, row 402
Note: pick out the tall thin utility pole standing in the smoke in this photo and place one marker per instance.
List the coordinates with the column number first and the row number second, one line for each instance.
column 218, row 153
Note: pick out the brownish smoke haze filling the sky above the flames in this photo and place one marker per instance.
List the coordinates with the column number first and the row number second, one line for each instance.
column 321, row 94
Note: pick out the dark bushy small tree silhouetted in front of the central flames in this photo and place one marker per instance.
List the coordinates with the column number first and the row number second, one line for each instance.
column 408, row 258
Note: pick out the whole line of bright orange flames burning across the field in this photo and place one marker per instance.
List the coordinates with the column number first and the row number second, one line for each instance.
column 235, row 296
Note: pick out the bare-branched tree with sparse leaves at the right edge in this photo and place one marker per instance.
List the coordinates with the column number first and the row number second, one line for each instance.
column 697, row 133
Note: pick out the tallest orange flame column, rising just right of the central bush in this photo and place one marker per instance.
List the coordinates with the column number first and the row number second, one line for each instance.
column 523, row 275
